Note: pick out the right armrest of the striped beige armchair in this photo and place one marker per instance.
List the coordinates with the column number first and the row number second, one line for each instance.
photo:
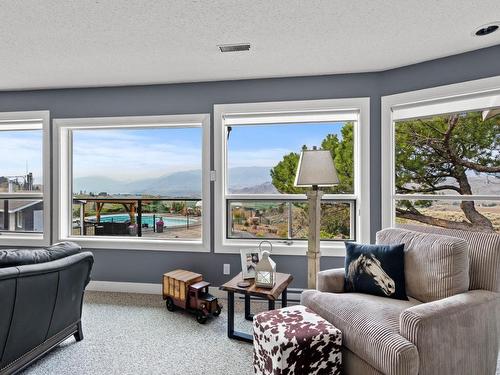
column 455, row 335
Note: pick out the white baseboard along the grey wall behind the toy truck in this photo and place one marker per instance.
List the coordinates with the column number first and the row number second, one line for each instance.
column 151, row 288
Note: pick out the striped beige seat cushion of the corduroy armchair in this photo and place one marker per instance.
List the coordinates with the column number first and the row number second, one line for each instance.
column 370, row 328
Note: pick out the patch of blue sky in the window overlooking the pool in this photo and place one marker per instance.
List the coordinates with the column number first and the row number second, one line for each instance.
column 133, row 154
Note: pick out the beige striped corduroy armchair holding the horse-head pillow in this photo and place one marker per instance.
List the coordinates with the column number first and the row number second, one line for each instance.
column 450, row 323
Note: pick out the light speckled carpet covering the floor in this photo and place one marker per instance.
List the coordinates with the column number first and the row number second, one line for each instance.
column 135, row 334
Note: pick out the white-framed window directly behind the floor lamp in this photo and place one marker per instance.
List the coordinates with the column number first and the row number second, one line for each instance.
column 256, row 162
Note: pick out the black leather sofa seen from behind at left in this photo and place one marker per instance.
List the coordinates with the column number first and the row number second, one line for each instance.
column 41, row 294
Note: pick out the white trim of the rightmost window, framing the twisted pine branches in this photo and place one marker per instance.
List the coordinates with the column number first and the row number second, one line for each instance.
column 464, row 96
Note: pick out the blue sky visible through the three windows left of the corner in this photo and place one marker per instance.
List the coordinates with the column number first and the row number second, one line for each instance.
column 132, row 154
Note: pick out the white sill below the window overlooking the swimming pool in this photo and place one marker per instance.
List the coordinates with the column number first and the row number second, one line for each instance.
column 123, row 243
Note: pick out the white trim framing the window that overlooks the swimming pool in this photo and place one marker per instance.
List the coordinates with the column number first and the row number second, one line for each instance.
column 63, row 180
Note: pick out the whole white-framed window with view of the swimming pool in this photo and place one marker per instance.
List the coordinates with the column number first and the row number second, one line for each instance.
column 138, row 180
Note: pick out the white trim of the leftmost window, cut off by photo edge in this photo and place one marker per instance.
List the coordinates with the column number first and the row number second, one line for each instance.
column 26, row 120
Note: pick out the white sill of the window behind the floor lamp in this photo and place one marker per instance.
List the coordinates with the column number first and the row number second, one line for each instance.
column 298, row 248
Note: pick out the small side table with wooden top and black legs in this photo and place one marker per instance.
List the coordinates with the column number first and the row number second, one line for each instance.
column 231, row 287
